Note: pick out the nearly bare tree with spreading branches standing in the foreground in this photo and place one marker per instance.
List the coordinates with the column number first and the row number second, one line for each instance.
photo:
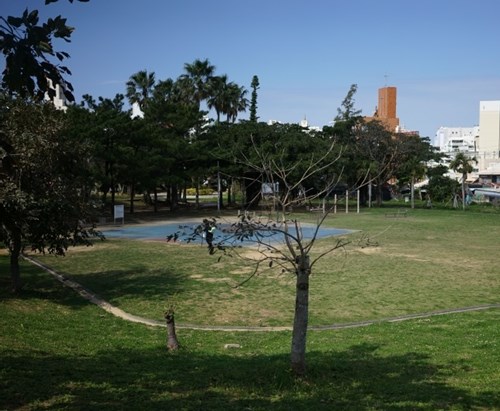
column 279, row 237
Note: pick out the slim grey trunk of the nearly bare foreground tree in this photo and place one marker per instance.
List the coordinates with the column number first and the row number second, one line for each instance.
column 298, row 354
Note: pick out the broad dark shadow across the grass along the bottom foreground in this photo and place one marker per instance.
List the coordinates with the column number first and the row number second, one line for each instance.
column 355, row 379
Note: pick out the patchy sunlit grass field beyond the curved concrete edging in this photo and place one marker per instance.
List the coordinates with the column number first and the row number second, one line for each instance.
column 430, row 260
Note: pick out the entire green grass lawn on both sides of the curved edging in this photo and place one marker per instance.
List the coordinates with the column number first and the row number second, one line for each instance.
column 58, row 352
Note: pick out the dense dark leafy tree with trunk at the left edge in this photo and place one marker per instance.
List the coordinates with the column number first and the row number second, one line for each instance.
column 44, row 200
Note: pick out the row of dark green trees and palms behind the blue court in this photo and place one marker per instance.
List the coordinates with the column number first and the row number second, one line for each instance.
column 173, row 146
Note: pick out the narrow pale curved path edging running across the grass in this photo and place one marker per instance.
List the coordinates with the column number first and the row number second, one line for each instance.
column 134, row 318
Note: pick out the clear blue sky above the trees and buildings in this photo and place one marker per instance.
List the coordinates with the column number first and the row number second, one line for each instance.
column 442, row 55
